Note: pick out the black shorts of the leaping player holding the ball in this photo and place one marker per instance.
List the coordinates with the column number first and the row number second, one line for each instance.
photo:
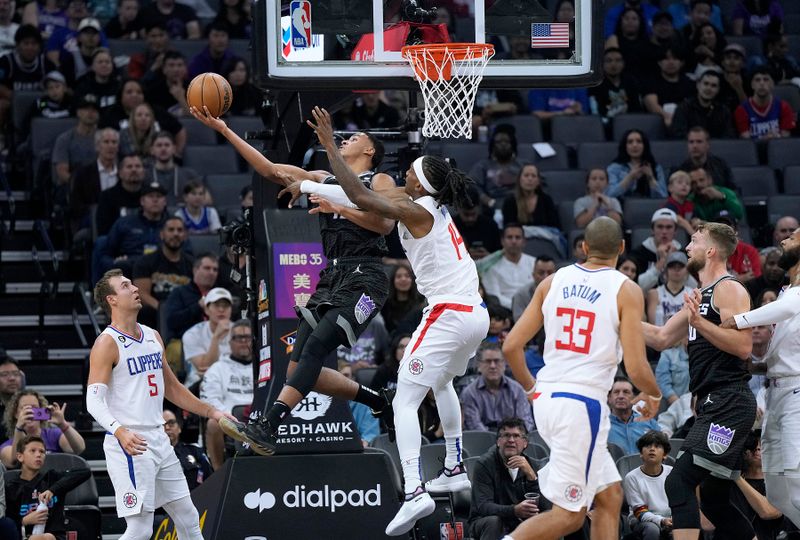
column 357, row 286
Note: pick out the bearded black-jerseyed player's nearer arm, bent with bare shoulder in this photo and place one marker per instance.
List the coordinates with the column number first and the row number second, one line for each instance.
column 733, row 298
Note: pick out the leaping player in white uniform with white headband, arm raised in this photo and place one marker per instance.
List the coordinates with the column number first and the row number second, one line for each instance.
column 453, row 325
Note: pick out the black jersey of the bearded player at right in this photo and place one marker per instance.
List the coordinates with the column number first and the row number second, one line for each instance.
column 710, row 367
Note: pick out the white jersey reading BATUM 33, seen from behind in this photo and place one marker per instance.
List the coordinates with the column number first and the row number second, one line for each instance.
column 581, row 322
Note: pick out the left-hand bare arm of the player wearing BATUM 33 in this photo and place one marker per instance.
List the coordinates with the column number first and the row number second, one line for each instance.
column 528, row 325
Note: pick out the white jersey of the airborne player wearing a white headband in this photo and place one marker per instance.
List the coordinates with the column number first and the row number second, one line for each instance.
column 444, row 270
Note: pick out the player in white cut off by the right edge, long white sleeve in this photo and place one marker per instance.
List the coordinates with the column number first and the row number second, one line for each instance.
column 780, row 438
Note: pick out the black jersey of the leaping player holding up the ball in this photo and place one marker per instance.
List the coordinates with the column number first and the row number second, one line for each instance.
column 343, row 238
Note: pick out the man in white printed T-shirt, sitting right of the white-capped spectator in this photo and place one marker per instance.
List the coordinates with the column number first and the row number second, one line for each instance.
column 228, row 383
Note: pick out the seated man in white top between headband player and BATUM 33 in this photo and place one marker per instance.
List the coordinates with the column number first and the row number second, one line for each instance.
column 503, row 271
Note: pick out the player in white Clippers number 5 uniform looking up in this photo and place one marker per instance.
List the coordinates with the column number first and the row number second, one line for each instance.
column 128, row 380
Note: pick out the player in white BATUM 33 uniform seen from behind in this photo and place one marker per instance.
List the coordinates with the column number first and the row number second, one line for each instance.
column 591, row 314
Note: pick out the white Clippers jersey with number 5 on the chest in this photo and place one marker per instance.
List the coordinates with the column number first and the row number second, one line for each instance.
column 136, row 392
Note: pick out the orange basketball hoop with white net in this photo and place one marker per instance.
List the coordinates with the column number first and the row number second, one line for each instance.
column 448, row 76
